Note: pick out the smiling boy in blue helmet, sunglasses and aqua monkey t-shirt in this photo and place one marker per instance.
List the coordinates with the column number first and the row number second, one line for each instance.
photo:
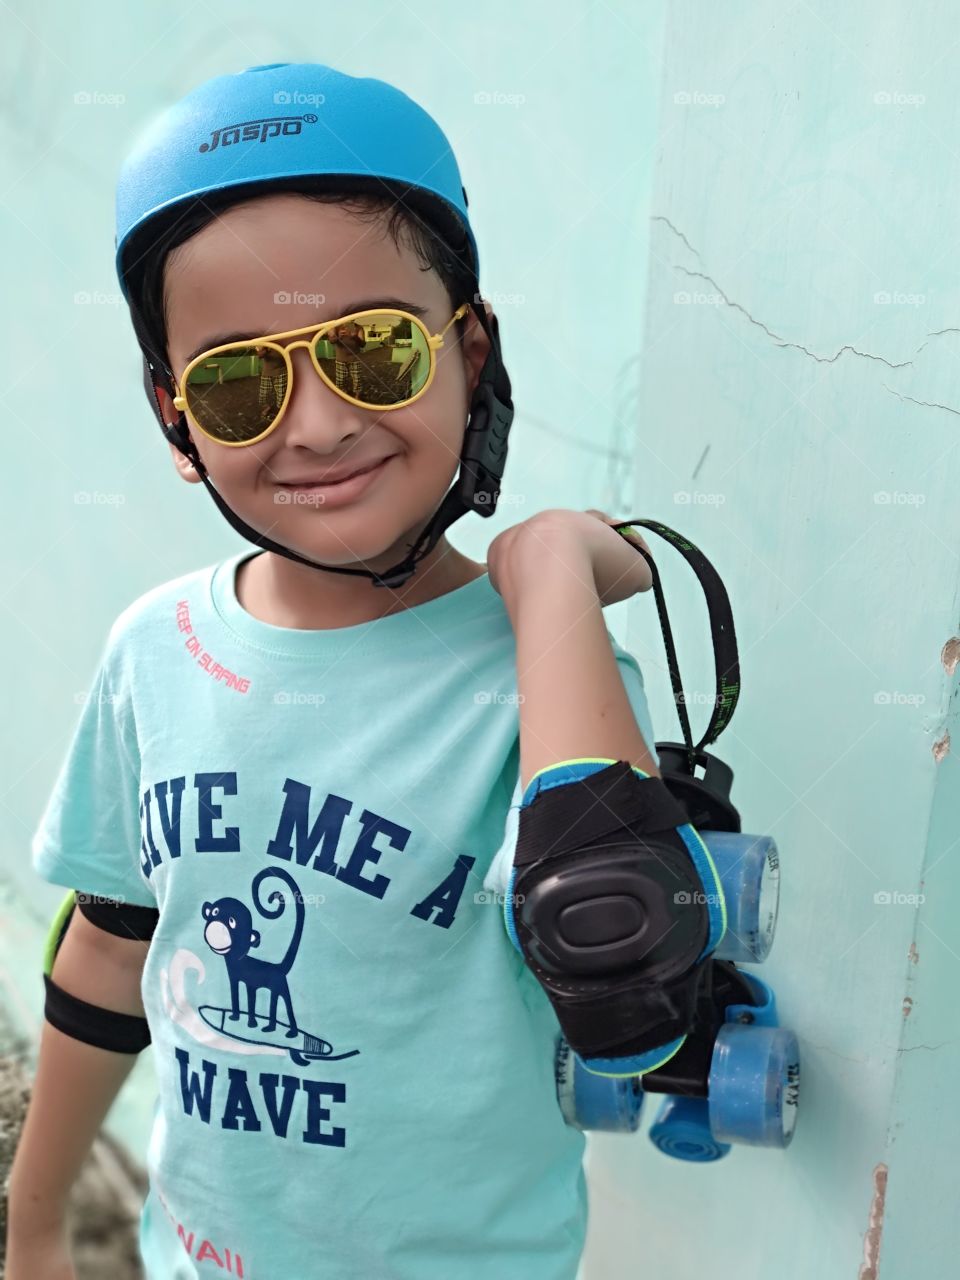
column 304, row 778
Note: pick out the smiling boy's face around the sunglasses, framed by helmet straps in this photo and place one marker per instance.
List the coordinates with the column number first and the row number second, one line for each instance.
column 322, row 262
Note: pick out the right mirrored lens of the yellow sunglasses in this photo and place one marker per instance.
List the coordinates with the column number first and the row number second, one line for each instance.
column 380, row 358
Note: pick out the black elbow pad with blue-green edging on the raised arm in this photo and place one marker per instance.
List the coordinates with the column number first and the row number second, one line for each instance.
column 615, row 904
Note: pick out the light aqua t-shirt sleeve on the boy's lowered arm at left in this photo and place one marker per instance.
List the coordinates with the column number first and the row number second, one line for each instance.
column 89, row 835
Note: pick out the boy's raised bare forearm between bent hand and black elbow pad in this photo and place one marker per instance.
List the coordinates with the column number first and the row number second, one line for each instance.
column 573, row 701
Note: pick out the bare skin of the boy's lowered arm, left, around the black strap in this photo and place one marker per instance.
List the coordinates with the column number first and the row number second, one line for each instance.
column 75, row 1089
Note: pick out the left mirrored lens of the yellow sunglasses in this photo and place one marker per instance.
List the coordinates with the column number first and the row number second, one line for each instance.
column 237, row 394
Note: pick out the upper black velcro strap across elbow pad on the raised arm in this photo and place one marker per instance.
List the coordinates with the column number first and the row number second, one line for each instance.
column 600, row 807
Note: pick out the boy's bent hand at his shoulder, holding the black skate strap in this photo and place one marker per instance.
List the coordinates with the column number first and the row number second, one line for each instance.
column 533, row 547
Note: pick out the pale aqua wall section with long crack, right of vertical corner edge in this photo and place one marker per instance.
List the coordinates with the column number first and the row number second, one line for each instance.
column 803, row 264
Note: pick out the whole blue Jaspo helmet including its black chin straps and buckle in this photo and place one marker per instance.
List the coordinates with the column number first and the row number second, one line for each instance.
column 278, row 125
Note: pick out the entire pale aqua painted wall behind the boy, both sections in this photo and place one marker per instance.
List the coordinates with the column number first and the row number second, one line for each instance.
column 714, row 202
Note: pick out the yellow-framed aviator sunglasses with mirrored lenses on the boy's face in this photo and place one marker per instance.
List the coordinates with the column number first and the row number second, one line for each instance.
column 239, row 394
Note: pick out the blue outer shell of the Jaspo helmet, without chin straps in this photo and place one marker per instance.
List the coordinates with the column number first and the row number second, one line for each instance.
column 281, row 122
